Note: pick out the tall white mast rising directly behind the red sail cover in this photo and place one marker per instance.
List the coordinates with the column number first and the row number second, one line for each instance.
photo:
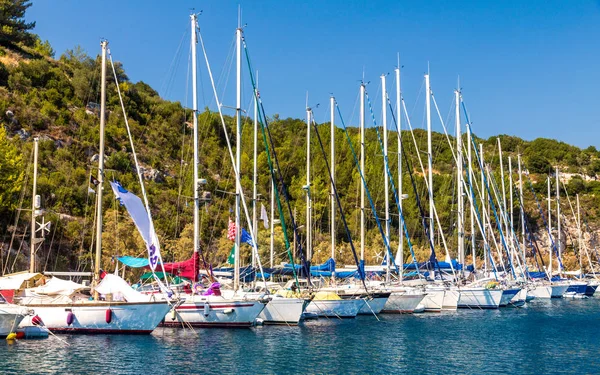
column 195, row 118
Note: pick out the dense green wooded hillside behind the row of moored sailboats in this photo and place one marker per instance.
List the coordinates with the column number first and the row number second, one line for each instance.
column 54, row 99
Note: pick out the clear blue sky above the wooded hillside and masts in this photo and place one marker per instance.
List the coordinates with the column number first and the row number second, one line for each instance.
column 527, row 68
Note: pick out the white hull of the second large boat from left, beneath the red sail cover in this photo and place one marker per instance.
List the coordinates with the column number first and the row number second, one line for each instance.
column 214, row 311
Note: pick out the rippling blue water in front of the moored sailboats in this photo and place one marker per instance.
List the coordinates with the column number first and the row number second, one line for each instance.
column 551, row 337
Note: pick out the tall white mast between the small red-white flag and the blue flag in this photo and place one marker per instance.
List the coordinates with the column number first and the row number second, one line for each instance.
column 238, row 154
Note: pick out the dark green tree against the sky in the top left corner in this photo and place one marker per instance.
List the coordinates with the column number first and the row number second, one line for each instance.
column 13, row 27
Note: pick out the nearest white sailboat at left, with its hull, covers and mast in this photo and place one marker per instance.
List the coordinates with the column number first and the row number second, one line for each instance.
column 61, row 306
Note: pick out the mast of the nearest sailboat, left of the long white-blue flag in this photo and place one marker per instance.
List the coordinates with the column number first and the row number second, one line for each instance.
column 104, row 45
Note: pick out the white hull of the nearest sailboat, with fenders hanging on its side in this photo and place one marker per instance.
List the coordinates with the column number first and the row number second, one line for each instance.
column 94, row 317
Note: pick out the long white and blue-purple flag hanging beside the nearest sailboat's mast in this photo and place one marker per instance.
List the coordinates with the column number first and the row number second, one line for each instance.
column 142, row 220
